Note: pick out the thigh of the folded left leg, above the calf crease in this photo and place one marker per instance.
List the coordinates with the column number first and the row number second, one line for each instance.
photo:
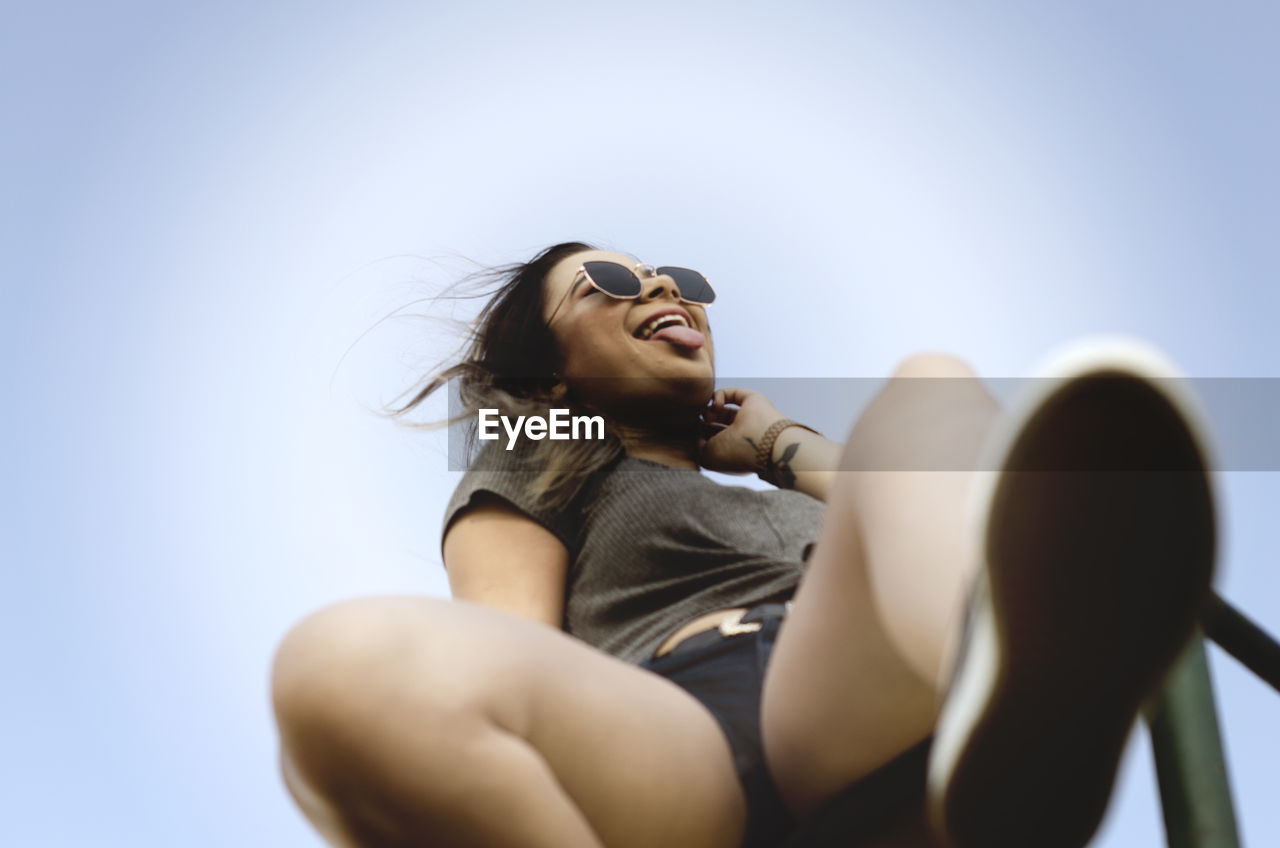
column 642, row 760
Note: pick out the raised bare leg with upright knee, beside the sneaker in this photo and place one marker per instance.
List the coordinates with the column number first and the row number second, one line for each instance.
column 853, row 680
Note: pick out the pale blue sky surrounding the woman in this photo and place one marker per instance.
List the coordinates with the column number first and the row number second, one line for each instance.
column 204, row 206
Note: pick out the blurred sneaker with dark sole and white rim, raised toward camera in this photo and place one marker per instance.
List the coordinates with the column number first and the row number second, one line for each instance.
column 1095, row 521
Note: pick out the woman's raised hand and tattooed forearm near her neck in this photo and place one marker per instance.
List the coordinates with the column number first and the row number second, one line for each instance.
column 803, row 461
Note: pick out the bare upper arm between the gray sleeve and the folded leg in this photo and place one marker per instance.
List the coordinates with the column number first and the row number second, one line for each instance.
column 502, row 559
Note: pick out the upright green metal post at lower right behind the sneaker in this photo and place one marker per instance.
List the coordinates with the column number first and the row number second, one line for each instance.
column 1191, row 769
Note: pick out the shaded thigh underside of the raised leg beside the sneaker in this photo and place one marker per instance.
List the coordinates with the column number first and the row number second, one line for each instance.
column 839, row 701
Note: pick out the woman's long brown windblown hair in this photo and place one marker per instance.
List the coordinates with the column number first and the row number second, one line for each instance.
column 513, row 364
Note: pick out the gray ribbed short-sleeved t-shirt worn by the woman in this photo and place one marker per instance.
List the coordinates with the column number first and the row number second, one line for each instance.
column 653, row 546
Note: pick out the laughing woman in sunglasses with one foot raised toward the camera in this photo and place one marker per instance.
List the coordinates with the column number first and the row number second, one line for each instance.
column 621, row 665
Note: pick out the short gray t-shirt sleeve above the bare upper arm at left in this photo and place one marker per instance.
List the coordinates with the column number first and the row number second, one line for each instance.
column 509, row 476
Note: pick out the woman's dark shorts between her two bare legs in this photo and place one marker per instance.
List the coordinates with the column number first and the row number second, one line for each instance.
column 728, row 677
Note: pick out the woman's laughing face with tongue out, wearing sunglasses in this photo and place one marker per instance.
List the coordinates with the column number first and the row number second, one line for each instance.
column 606, row 361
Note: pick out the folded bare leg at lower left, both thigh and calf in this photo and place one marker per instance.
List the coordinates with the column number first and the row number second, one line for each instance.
column 410, row 722
